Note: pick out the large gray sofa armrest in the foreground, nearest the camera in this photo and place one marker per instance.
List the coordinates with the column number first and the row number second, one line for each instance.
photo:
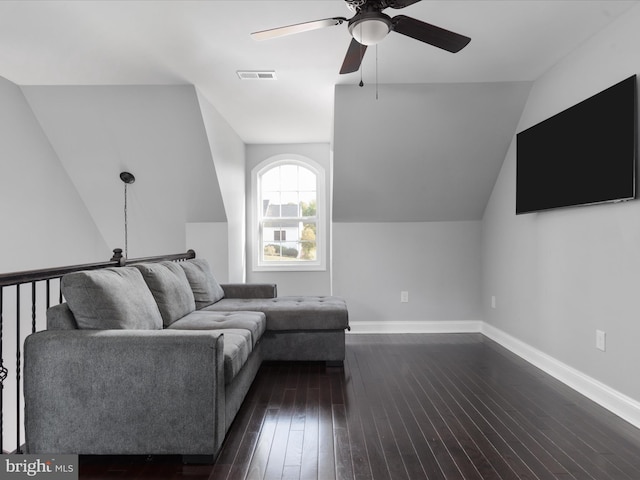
column 124, row 391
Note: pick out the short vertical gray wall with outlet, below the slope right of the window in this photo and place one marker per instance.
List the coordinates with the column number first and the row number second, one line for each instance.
column 438, row 263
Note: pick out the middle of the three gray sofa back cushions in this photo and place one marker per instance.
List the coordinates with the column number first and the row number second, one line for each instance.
column 170, row 288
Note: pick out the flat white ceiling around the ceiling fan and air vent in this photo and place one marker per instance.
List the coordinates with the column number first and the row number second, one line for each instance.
column 204, row 43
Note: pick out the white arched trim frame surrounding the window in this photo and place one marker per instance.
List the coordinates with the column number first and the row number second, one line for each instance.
column 319, row 264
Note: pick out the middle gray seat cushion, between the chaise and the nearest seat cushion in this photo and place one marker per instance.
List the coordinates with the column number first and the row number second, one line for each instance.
column 254, row 322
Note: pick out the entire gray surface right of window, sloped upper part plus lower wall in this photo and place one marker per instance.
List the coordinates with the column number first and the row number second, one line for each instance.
column 414, row 169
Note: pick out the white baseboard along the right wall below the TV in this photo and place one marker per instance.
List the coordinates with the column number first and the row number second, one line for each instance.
column 614, row 401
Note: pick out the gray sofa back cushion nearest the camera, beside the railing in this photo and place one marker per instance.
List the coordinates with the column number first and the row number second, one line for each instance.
column 111, row 298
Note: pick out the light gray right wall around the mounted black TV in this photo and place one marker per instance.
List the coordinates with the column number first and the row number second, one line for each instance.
column 558, row 276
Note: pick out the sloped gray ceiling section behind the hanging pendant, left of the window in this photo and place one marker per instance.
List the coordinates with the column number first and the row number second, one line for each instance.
column 156, row 133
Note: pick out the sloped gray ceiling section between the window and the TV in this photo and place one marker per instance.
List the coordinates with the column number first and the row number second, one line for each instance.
column 421, row 152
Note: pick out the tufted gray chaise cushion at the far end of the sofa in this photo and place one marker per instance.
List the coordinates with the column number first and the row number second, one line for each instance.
column 293, row 313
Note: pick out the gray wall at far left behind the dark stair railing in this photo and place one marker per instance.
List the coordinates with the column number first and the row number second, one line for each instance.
column 45, row 222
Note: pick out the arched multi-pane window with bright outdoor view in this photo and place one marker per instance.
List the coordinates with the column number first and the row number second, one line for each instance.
column 289, row 215
